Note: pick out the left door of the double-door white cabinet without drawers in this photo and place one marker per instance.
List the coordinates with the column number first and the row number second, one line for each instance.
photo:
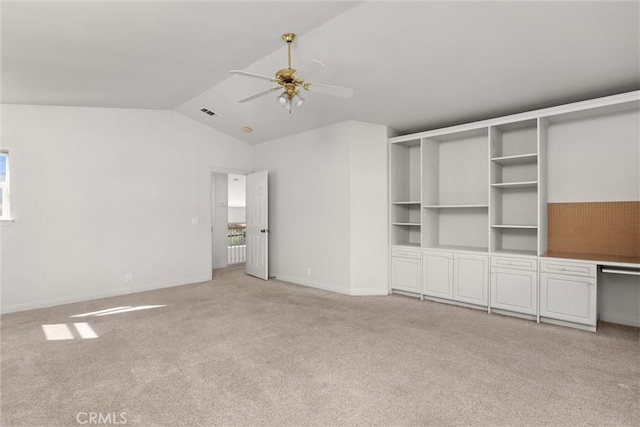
column 437, row 274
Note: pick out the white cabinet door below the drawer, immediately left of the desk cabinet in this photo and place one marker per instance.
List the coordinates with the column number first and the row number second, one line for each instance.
column 514, row 290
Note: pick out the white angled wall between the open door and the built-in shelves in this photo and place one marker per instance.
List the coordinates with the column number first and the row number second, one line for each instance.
column 327, row 207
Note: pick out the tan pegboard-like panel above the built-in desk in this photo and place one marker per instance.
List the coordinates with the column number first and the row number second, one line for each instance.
column 606, row 228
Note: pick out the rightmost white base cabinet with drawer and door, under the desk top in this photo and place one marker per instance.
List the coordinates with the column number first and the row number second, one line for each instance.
column 568, row 291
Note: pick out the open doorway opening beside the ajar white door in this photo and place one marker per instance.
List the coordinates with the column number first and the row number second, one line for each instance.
column 228, row 219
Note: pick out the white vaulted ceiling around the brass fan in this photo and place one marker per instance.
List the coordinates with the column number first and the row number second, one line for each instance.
column 413, row 65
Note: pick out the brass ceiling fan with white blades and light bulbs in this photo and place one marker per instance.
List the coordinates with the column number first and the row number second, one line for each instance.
column 291, row 80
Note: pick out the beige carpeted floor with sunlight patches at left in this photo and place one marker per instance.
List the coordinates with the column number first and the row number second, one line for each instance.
column 240, row 351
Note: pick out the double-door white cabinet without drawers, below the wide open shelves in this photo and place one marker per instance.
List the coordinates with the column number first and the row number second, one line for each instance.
column 455, row 276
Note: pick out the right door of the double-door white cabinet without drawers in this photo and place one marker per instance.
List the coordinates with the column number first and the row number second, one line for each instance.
column 470, row 278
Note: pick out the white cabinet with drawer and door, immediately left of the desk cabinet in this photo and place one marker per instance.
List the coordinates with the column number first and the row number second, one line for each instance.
column 514, row 284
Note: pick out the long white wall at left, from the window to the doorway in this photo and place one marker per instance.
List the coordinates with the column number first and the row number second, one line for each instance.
column 101, row 193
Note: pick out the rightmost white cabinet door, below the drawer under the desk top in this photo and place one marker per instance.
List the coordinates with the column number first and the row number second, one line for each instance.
column 568, row 298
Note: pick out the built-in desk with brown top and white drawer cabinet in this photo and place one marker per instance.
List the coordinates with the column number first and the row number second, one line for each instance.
column 569, row 285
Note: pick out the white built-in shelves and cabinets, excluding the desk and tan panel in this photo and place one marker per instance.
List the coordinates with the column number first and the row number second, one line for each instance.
column 468, row 204
